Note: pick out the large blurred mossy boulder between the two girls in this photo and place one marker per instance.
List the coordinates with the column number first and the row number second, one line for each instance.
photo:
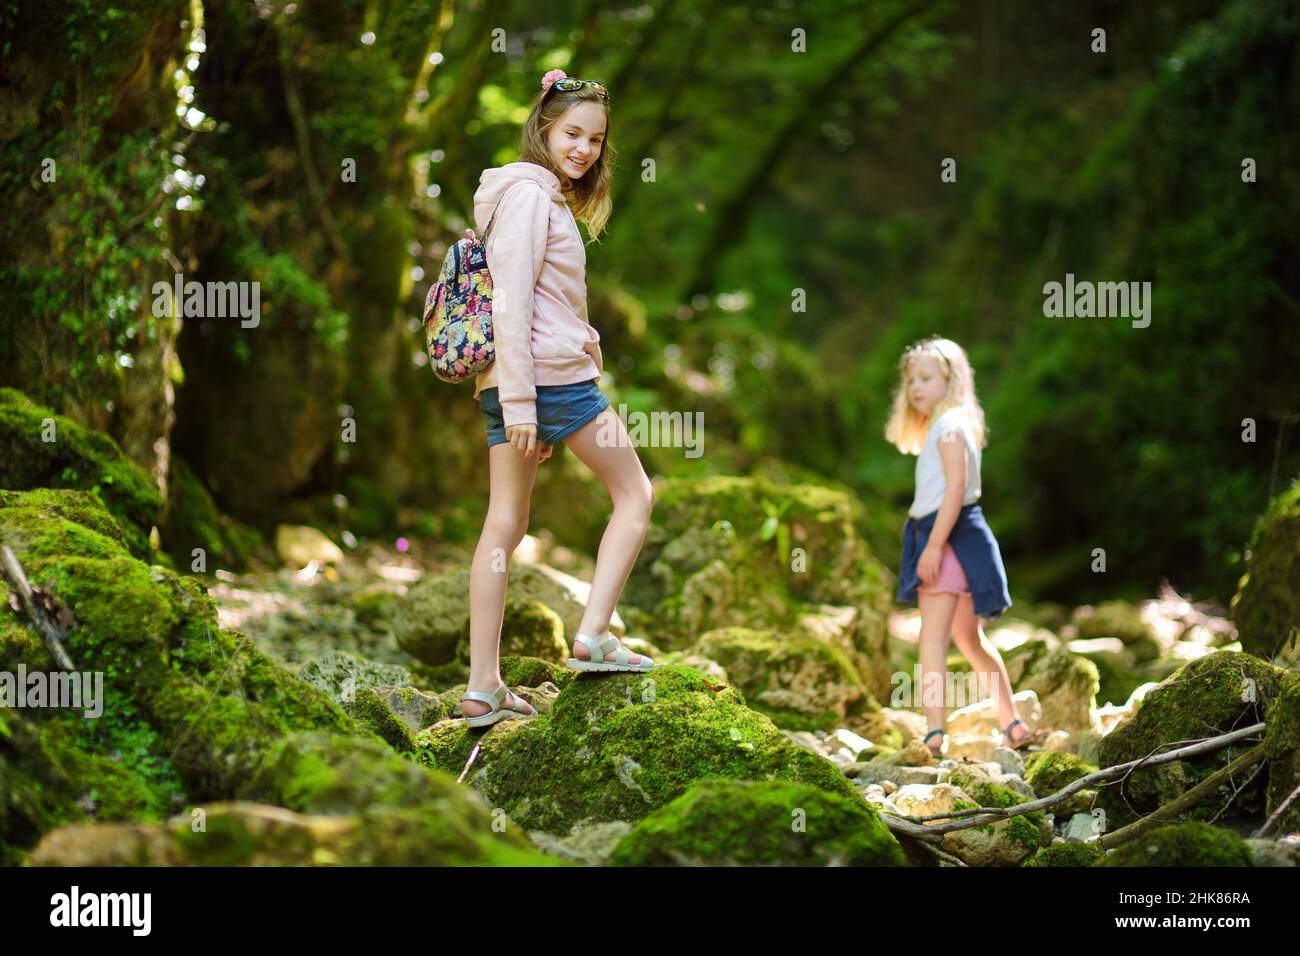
column 748, row 552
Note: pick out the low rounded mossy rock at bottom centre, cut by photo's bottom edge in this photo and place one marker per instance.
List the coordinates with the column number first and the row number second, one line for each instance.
column 760, row 824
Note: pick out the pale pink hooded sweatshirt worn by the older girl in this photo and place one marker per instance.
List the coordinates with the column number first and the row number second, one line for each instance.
column 539, row 301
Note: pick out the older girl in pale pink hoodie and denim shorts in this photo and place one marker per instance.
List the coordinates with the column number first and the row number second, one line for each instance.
column 544, row 387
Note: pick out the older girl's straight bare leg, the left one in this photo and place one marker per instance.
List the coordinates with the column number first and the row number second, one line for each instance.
column 512, row 481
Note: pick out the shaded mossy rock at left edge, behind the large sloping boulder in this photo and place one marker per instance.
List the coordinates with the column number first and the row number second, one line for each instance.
column 76, row 458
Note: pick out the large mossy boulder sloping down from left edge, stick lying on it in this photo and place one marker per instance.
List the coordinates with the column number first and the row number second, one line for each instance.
column 194, row 713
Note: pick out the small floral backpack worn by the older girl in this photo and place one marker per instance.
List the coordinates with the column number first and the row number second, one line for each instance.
column 458, row 312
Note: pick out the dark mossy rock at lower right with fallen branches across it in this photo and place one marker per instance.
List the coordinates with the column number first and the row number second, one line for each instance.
column 1212, row 695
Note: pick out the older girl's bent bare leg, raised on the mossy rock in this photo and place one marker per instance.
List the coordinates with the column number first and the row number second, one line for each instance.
column 617, row 465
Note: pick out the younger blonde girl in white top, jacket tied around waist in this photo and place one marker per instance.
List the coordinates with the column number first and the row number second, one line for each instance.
column 950, row 556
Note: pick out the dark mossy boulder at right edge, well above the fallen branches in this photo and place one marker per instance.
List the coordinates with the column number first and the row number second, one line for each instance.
column 1267, row 605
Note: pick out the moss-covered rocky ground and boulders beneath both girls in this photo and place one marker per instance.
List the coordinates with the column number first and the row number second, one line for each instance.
column 306, row 712
